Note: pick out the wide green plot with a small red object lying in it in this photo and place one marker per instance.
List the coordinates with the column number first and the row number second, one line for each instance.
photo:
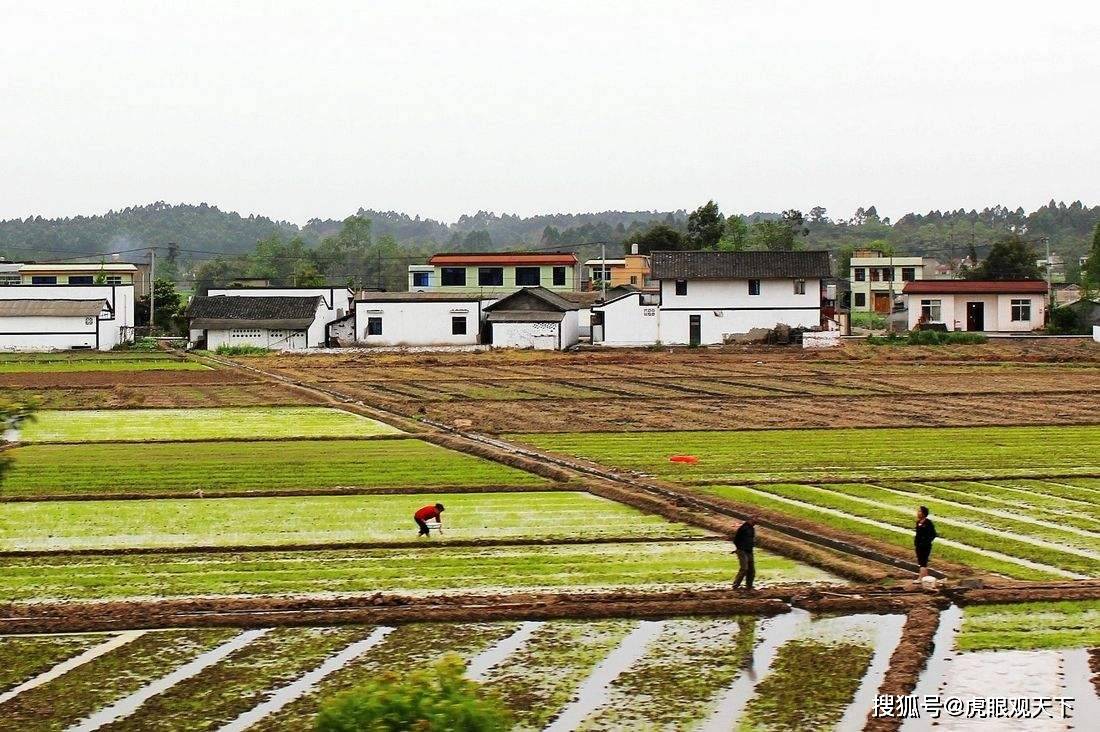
column 811, row 455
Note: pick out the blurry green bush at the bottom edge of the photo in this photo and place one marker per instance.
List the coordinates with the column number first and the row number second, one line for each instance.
column 430, row 701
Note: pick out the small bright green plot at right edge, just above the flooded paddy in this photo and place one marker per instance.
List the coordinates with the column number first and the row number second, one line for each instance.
column 1031, row 627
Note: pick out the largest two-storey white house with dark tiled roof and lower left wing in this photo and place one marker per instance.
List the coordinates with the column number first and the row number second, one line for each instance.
column 707, row 297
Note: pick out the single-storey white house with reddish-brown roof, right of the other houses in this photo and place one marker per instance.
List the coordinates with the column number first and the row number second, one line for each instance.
column 981, row 305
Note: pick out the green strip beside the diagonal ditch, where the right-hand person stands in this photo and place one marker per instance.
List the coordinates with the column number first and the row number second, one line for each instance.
column 899, row 538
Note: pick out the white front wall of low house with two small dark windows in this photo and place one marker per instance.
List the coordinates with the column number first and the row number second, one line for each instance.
column 419, row 323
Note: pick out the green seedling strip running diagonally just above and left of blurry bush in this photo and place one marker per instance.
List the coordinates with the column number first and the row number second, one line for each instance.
column 405, row 650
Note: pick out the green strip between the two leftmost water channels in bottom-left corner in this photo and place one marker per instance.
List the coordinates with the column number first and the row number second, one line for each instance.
column 68, row 700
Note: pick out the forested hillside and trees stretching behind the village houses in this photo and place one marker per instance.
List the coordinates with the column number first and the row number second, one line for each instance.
column 213, row 246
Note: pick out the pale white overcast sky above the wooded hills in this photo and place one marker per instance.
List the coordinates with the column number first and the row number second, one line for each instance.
column 313, row 110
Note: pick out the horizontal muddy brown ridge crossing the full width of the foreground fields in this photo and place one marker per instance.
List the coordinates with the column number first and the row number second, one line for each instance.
column 390, row 609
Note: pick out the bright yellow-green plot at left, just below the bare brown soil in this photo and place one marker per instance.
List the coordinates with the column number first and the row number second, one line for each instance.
column 241, row 423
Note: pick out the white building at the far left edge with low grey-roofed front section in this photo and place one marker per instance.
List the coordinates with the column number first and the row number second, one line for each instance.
column 62, row 318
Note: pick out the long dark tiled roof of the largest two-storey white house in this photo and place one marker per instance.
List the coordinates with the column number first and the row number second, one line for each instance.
column 740, row 266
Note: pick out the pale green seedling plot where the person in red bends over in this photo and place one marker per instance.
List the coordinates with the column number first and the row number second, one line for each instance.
column 323, row 520
